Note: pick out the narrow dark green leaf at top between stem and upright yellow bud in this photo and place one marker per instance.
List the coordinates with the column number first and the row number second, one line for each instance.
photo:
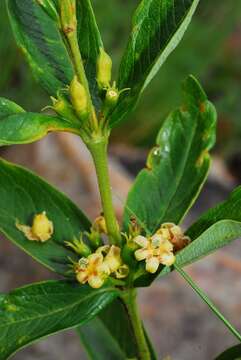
column 89, row 43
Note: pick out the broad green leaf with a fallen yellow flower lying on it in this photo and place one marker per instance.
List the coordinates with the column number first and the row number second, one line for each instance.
column 22, row 195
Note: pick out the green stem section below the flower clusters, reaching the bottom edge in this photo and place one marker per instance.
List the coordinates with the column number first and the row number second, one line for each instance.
column 129, row 298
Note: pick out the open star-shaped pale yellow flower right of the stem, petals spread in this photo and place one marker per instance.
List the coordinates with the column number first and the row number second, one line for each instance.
column 155, row 250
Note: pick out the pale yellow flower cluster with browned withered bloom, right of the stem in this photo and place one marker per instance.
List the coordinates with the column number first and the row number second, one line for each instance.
column 159, row 249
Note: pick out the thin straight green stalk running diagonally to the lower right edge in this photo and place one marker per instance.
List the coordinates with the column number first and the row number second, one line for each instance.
column 208, row 301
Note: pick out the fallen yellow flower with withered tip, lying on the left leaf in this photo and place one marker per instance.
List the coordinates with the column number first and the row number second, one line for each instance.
column 42, row 228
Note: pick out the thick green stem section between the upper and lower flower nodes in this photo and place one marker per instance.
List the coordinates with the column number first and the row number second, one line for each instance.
column 98, row 149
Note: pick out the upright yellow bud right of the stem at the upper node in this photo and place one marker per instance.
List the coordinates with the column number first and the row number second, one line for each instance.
column 104, row 69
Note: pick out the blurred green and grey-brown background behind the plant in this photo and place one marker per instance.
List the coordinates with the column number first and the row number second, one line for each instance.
column 179, row 323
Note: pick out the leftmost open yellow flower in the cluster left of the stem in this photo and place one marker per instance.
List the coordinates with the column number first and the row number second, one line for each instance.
column 92, row 270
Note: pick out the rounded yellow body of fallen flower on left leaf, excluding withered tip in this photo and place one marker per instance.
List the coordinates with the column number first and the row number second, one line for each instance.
column 42, row 227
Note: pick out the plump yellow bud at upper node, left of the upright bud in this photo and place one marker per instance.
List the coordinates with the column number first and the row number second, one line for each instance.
column 79, row 98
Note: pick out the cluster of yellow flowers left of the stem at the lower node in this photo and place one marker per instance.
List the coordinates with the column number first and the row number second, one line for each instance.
column 97, row 267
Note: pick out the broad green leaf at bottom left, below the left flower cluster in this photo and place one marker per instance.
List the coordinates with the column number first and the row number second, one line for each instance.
column 39, row 310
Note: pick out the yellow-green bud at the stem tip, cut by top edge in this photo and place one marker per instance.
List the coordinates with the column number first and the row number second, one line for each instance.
column 68, row 16
